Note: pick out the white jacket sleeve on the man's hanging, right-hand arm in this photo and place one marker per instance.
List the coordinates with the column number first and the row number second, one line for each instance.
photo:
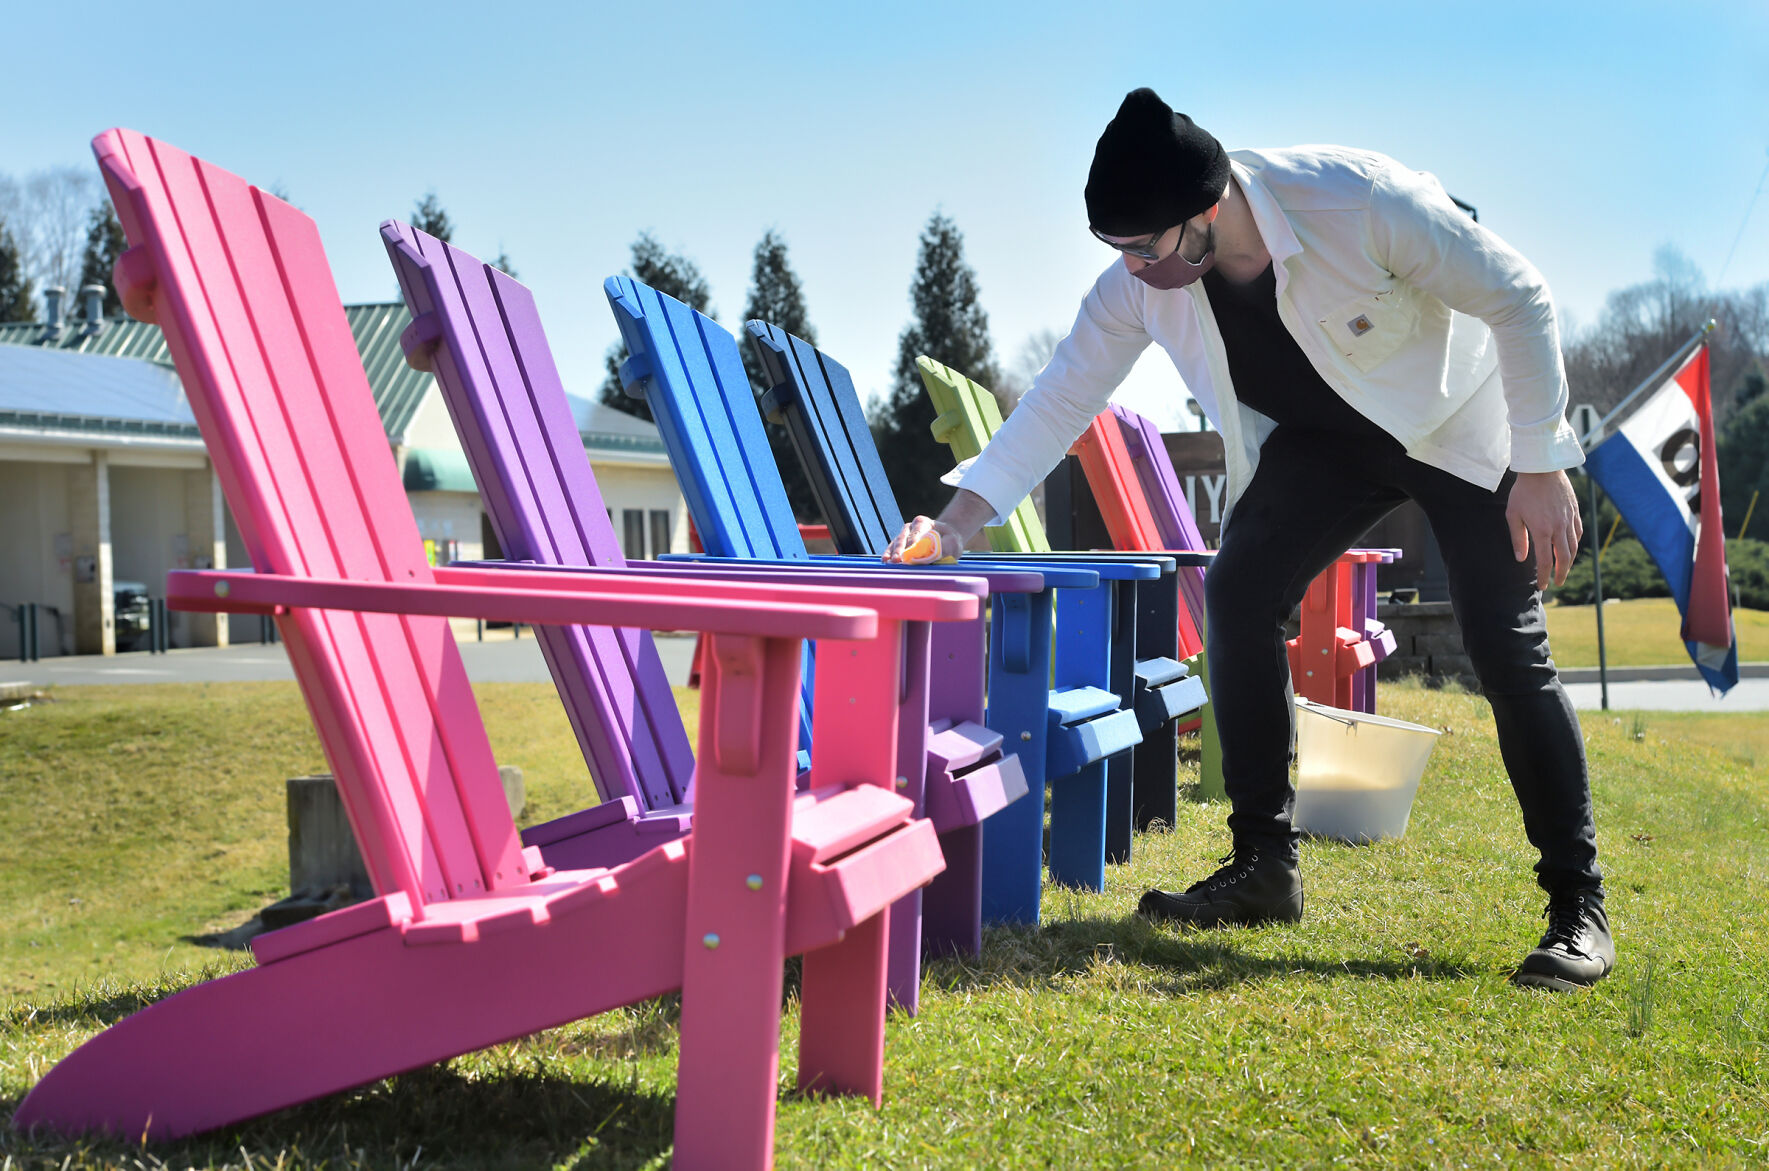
column 1430, row 243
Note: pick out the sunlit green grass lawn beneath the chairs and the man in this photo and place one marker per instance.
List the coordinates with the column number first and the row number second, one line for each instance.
column 1379, row 1032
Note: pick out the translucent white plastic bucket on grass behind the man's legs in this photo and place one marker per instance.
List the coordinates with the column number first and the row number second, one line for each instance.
column 1358, row 774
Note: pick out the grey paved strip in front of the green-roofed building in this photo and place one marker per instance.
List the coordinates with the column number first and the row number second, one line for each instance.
column 498, row 661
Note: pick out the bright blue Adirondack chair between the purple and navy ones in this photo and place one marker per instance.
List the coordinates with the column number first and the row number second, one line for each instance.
column 689, row 371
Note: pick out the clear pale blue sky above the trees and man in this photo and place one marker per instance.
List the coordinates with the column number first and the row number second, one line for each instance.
column 1589, row 135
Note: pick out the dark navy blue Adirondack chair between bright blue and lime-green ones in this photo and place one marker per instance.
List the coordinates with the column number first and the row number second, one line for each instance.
column 815, row 399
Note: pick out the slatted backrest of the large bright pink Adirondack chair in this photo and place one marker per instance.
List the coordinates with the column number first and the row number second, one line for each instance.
column 254, row 321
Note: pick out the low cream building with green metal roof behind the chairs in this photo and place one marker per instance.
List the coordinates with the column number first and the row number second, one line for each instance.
column 105, row 480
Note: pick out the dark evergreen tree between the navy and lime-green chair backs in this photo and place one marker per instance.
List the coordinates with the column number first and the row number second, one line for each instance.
column 951, row 328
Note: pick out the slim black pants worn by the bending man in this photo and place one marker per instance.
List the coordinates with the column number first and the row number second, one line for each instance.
column 1313, row 498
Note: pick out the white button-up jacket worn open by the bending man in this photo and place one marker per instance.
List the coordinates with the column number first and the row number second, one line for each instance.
column 1427, row 323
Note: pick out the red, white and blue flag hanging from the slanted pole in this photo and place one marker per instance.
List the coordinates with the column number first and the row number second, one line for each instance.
column 1664, row 475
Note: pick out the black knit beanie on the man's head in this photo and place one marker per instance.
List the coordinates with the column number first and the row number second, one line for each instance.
column 1153, row 169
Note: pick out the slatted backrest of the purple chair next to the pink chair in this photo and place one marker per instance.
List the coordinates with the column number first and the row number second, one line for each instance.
column 510, row 409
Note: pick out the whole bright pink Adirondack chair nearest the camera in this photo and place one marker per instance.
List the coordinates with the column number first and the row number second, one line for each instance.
column 471, row 940
